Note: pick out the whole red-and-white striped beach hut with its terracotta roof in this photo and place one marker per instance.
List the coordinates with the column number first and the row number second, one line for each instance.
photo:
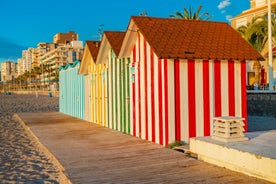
column 185, row 73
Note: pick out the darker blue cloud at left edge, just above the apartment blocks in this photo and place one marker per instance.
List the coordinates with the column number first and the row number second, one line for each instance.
column 10, row 50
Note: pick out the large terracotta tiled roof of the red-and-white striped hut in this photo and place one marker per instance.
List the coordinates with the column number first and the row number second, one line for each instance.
column 194, row 39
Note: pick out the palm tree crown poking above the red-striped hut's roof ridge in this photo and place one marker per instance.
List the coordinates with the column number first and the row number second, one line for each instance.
column 189, row 14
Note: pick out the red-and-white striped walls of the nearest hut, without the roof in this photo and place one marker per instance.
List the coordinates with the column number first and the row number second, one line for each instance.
column 174, row 100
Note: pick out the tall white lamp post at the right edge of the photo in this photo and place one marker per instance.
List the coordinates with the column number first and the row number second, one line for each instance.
column 270, row 58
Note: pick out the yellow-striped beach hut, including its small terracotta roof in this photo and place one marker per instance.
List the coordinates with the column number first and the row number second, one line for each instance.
column 88, row 70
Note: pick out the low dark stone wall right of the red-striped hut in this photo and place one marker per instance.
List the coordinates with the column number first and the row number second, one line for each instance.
column 261, row 103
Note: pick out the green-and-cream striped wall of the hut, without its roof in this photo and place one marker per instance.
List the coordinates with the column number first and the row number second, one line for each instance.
column 118, row 72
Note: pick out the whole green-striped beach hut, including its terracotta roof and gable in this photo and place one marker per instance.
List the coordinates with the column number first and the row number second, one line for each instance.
column 114, row 81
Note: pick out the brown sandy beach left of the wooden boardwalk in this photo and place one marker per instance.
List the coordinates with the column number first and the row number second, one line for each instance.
column 21, row 158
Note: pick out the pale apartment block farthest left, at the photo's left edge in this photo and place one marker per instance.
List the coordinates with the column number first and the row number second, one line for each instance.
column 8, row 71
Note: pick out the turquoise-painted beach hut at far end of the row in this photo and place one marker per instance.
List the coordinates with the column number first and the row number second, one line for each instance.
column 71, row 98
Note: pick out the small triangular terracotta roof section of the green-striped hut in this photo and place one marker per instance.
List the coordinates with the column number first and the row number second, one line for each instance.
column 115, row 39
